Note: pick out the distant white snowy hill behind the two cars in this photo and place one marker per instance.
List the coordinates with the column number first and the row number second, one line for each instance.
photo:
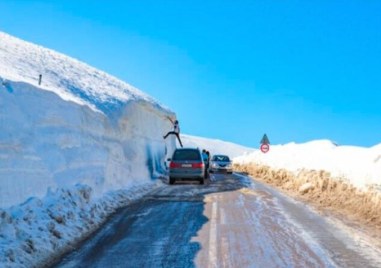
column 215, row 146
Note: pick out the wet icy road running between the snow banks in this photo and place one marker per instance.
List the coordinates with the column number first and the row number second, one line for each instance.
column 231, row 221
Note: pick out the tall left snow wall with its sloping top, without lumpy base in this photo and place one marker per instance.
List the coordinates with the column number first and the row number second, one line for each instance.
column 79, row 126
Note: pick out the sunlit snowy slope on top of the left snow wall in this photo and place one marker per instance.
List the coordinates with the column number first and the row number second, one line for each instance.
column 71, row 79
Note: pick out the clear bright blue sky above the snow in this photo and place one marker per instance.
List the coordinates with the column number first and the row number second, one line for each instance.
column 233, row 70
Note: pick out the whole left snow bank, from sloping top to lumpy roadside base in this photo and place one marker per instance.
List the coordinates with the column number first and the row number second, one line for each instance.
column 73, row 149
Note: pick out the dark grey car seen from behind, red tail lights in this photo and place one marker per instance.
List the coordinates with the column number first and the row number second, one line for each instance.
column 186, row 164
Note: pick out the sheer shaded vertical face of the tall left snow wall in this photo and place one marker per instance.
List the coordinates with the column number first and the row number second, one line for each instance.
column 47, row 143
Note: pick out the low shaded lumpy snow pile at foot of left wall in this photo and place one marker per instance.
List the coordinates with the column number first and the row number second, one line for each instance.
column 37, row 232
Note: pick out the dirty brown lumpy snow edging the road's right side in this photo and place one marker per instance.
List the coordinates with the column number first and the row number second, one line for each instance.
column 324, row 191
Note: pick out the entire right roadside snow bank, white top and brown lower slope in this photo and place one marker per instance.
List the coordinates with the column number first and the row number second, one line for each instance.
column 344, row 179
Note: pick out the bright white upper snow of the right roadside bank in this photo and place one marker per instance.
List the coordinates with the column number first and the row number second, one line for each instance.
column 361, row 166
